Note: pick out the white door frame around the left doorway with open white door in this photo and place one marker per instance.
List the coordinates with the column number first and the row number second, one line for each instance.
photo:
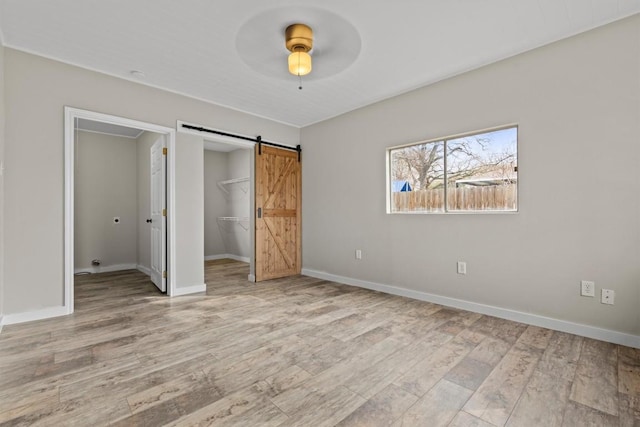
column 70, row 116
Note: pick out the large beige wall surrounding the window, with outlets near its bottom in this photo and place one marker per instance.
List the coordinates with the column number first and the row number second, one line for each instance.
column 577, row 103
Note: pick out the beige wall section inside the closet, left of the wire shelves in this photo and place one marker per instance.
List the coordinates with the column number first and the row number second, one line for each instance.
column 215, row 205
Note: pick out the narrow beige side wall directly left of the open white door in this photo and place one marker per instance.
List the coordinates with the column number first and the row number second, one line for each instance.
column 143, row 148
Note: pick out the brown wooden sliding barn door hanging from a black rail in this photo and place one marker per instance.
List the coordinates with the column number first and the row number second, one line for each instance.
column 278, row 213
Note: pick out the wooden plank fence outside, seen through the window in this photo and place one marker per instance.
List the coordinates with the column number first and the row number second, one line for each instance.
column 480, row 198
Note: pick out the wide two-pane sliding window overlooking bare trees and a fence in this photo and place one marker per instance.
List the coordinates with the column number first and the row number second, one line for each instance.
column 475, row 172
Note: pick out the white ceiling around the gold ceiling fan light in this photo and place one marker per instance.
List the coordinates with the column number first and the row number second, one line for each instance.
column 232, row 52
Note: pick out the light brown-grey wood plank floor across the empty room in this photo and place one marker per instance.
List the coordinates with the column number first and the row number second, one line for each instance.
column 300, row 352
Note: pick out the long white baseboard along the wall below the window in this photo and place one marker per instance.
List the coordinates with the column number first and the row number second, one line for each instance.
column 503, row 313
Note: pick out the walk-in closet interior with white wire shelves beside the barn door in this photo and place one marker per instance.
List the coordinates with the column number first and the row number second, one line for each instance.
column 226, row 203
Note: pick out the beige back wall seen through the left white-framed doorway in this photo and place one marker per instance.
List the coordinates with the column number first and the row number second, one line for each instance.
column 105, row 187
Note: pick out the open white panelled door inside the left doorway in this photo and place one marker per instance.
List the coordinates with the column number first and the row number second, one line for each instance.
column 159, row 214
